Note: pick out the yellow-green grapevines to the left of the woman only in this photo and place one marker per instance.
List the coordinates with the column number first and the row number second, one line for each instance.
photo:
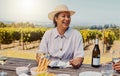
column 23, row 36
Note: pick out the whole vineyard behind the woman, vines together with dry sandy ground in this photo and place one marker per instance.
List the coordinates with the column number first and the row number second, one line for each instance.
column 23, row 42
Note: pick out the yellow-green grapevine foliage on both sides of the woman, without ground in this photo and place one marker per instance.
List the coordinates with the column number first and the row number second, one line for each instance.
column 9, row 35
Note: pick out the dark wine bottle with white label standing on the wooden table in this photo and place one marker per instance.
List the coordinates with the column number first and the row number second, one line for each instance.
column 96, row 54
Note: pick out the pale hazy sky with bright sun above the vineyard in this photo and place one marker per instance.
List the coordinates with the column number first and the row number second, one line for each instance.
column 88, row 12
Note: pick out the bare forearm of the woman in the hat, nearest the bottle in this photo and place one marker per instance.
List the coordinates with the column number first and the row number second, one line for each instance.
column 76, row 62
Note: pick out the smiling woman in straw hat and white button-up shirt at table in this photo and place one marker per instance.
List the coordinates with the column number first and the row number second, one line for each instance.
column 62, row 43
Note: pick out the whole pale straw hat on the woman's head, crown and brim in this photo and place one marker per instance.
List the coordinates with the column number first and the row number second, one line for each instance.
column 58, row 9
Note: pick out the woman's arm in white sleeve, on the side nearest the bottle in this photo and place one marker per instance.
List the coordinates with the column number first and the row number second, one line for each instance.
column 78, row 51
